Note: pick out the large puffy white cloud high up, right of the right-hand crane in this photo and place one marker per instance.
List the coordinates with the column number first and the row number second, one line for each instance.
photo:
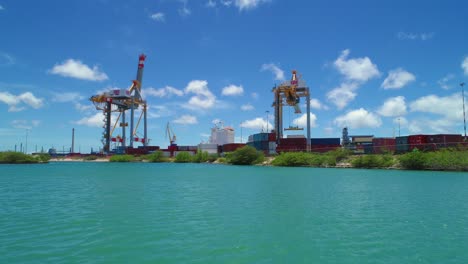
column 359, row 69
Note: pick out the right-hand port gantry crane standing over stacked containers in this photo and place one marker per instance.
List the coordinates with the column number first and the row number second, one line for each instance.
column 289, row 94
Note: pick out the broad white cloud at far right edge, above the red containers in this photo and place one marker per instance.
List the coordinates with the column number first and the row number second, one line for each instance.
column 449, row 106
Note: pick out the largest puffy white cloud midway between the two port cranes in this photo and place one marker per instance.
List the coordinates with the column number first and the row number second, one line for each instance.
column 203, row 98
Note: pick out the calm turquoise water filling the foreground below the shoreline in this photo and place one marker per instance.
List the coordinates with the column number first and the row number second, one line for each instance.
column 192, row 213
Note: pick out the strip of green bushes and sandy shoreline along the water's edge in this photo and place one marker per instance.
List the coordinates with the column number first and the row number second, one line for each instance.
column 443, row 160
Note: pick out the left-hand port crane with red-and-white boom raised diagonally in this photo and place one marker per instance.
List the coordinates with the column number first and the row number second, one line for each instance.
column 121, row 100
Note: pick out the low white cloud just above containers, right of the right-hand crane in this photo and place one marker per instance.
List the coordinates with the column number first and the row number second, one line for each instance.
column 359, row 118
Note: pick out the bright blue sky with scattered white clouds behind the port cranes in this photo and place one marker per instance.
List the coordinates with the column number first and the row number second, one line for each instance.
column 371, row 65
